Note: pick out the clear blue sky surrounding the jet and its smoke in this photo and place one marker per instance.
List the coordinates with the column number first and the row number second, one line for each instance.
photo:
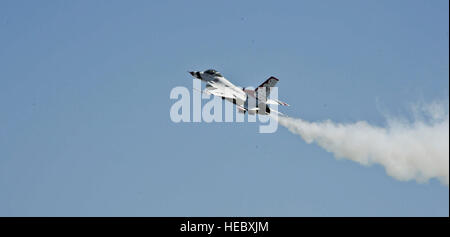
column 84, row 105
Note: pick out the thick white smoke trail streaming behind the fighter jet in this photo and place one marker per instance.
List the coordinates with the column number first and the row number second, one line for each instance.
column 408, row 150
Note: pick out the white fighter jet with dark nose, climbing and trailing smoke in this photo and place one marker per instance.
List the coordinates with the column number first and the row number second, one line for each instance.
column 250, row 101
